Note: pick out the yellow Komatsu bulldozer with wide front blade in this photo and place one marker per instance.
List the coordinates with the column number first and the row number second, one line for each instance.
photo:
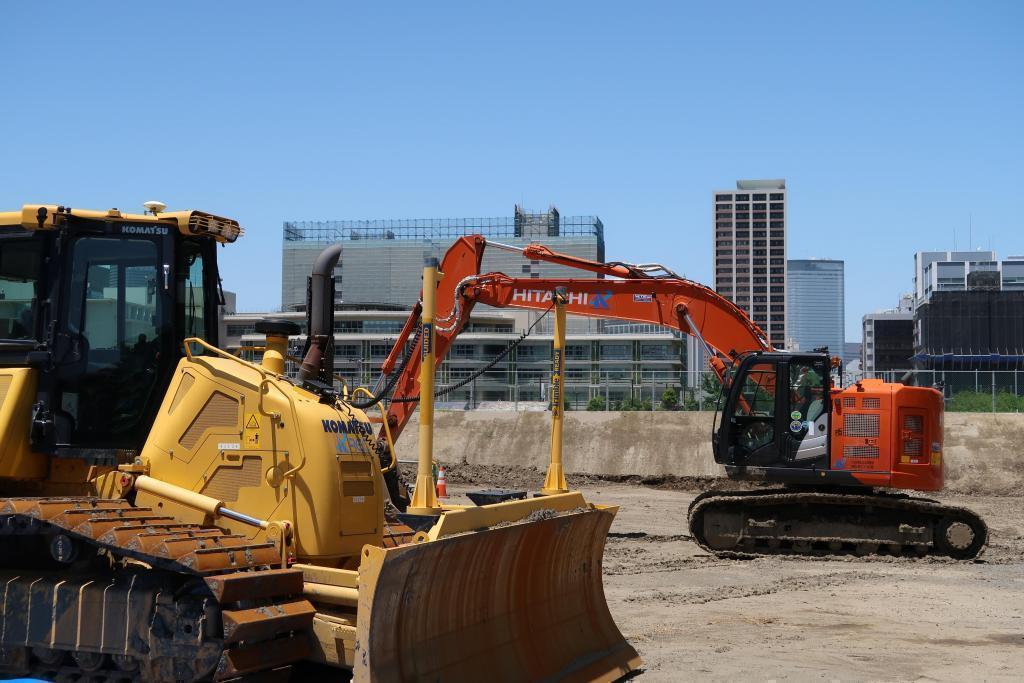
column 173, row 513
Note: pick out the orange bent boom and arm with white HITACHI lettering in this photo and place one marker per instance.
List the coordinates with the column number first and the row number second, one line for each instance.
column 634, row 294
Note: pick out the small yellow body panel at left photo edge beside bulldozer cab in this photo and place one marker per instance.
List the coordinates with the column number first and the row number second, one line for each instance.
column 18, row 392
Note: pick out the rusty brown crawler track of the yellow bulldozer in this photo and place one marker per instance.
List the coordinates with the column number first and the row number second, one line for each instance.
column 100, row 590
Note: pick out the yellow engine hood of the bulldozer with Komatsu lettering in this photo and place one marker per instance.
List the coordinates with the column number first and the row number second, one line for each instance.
column 271, row 450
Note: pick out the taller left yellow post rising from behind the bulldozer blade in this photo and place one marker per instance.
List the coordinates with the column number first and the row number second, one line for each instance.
column 425, row 498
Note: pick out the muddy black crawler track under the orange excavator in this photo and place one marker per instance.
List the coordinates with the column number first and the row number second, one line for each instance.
column 791, row 523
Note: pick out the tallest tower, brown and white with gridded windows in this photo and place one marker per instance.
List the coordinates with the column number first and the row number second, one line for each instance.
column 750, row 252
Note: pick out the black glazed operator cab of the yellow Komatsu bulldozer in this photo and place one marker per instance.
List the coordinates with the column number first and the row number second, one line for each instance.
column 99, row 306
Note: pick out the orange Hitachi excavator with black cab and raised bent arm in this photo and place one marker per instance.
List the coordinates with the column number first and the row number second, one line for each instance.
column 840, row 455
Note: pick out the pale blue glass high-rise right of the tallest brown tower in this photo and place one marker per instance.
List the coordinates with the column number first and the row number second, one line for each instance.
column 816, row 306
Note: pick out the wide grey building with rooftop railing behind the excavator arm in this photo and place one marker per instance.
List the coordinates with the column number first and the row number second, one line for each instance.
column 381, row 263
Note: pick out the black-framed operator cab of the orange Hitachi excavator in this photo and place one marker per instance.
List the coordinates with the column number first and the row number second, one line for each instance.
column 776, row 412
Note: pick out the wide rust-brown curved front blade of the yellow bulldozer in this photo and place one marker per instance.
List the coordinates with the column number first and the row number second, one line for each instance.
column 518, row 602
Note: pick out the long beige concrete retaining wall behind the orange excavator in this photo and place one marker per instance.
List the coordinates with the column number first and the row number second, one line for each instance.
column 983, row 451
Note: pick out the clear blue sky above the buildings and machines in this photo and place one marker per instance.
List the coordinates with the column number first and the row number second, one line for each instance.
column 894, row 123
